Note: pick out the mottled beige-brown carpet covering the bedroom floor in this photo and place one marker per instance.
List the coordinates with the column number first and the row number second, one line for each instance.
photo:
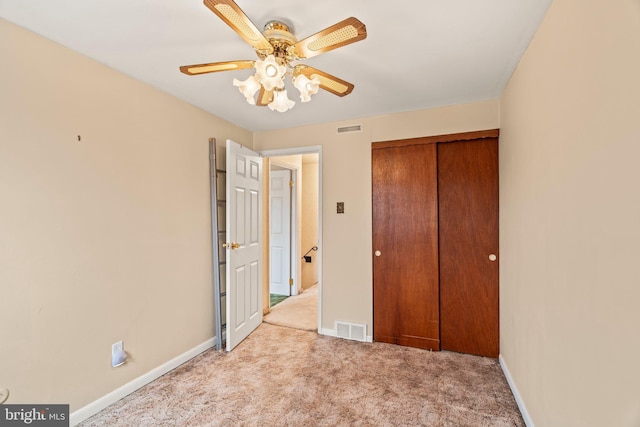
column 286, row 377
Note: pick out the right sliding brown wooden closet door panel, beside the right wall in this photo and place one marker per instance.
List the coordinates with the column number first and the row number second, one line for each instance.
column 468, row 227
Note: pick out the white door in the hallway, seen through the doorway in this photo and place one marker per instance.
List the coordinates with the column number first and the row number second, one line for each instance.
column 280, row 232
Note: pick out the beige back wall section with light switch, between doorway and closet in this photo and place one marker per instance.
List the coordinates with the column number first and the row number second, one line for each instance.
column 346, row 175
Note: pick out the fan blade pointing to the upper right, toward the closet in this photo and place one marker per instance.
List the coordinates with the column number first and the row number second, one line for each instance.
column 341, row 34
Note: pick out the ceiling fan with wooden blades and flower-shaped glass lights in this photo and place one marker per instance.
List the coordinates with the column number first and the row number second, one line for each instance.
column 278, row 50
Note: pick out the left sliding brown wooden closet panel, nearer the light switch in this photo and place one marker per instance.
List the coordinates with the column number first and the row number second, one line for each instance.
column 405, row 244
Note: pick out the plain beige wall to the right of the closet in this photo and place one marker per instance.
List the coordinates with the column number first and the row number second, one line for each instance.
column 570, row 217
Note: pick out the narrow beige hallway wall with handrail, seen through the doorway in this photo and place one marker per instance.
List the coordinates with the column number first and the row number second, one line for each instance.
column 309, row 219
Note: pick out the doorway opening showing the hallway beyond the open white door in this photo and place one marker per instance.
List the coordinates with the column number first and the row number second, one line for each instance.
column 293, row 189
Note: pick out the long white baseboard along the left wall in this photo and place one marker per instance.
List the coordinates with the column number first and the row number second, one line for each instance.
column 98, row 405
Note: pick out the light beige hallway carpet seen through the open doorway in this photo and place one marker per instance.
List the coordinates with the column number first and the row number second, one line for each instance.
column 299, row 311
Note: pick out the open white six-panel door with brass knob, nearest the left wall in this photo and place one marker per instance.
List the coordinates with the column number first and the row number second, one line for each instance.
column 243, row 246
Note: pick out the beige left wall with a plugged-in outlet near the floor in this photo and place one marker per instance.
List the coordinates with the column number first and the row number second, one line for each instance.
column 101, row 240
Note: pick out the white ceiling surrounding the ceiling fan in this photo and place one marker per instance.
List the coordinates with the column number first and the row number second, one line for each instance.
column 418, row 53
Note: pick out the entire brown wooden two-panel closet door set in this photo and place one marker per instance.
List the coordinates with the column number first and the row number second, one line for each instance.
column 435, row 242
